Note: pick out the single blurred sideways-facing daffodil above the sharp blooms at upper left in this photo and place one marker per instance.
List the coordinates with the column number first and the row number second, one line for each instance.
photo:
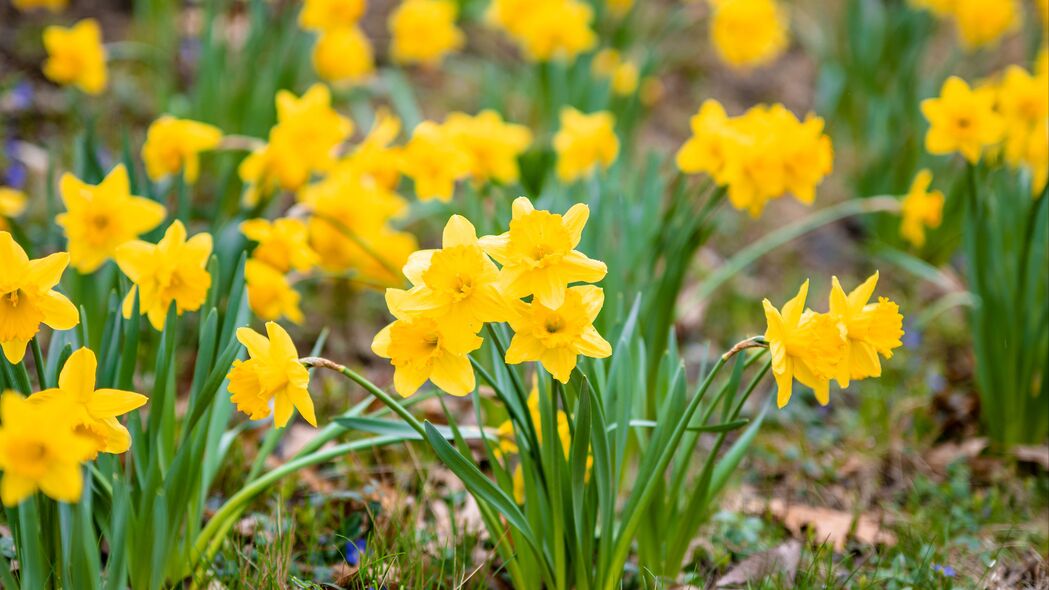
column 176, row 144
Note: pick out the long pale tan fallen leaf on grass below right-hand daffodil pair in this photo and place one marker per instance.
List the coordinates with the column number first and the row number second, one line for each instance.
column 830, row 525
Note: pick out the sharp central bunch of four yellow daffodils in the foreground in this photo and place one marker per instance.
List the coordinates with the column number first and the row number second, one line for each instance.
column 458, row 289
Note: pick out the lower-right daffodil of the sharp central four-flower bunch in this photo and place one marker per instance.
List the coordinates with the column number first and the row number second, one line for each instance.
column 558, row 336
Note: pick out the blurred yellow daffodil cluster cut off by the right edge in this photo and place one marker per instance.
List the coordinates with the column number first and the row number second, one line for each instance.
column 1008, row 116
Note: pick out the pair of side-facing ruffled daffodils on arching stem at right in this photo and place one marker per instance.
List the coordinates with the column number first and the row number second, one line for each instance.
column 843, row 345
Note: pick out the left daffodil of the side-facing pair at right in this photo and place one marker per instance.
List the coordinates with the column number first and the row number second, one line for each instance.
column 805, row 346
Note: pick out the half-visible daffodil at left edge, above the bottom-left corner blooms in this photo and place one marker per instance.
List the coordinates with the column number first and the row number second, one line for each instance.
column 28, row 298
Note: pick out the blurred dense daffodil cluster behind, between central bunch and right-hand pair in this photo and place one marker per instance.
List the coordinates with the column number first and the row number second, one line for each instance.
column 762, row 155
